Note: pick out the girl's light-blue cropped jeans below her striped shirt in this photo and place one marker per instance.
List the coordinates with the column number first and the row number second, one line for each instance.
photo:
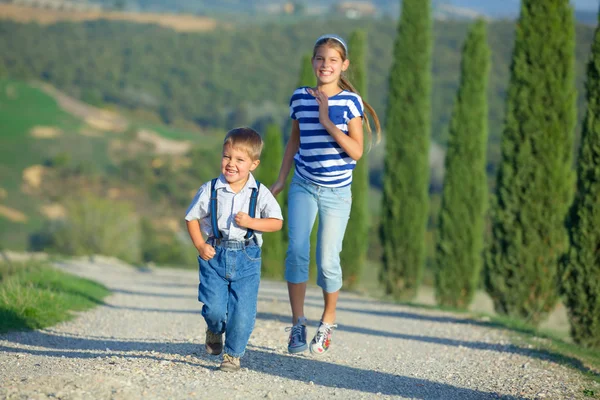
column 333, row 205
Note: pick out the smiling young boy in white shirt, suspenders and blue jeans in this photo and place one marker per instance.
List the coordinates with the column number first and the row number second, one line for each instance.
column 230, row 259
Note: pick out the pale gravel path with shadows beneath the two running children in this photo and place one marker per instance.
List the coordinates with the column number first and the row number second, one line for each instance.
column 146, row 342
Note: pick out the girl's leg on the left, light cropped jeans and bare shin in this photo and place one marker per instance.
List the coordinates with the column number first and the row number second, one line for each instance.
column 302, row 211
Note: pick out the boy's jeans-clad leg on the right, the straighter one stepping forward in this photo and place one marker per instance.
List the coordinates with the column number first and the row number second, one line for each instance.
column 243, row 296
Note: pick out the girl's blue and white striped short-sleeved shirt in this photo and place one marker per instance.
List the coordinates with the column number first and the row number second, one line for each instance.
column 320, row 159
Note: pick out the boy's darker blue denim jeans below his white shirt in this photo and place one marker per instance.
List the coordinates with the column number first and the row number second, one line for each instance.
column 229, row 290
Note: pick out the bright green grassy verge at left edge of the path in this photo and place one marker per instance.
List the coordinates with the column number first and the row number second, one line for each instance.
column 34, row 295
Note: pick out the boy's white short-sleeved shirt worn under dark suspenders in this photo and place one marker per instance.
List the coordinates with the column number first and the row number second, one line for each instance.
column 229, row 204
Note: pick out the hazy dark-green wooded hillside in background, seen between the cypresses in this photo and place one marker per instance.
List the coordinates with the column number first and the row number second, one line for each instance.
column 240, row 76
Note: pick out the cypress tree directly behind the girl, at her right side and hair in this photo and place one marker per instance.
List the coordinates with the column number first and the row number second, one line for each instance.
column 354, row 253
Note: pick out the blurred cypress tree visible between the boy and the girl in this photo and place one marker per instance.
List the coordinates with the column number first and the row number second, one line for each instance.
column 273, row 248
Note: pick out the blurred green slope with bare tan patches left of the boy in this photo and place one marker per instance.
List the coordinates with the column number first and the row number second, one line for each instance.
column 54, row 148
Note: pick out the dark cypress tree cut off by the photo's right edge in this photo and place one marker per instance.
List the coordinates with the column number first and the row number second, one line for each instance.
column 581, row 280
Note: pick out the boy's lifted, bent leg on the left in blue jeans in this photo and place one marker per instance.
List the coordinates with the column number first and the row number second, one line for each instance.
column 213, row 292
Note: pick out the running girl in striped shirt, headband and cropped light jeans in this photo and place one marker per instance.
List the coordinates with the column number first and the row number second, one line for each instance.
column 325, row 143
